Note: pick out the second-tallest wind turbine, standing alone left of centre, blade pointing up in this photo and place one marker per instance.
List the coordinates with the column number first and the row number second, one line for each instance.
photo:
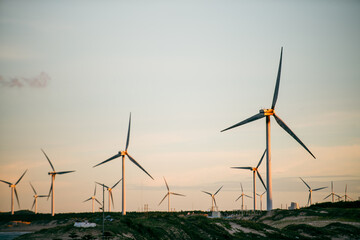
column 123, row 154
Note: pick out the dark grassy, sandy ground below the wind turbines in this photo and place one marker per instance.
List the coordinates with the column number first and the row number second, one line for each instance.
column 322, row 221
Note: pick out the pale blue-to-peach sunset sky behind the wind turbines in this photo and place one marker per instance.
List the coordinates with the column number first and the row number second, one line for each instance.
column 72, row 71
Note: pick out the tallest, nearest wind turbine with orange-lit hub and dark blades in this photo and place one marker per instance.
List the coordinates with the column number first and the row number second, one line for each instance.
column 267, row 113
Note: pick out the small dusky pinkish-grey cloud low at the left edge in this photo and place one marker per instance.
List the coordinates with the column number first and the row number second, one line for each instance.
column 40, row 81
